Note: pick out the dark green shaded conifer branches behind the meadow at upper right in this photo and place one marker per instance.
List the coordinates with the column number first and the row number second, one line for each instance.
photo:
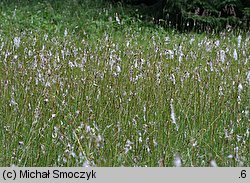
column 200, row 14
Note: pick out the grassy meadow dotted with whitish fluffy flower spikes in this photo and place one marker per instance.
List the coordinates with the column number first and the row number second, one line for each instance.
column 86, row 83
